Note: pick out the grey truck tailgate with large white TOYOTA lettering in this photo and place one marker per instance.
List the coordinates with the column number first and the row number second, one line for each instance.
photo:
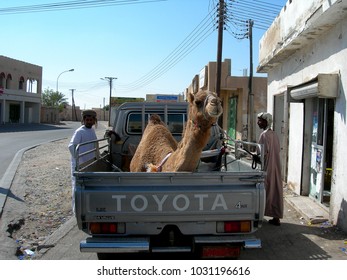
column 169, row 197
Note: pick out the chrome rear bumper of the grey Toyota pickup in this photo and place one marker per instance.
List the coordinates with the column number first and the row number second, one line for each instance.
column 141, row 245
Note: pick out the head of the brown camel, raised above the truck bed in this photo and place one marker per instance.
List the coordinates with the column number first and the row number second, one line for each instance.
column 204, row 109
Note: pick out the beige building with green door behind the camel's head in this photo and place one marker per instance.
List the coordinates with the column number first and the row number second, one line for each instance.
column 240, row 105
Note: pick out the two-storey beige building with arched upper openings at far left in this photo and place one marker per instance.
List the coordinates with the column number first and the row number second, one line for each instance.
column 20, row 91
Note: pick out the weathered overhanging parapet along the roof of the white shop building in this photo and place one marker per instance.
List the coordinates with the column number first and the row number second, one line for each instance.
column 297, row 25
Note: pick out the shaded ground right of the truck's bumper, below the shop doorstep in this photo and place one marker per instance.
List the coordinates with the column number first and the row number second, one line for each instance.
column 298, row 242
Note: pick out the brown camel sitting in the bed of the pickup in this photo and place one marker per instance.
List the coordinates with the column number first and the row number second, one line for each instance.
column 159, row 151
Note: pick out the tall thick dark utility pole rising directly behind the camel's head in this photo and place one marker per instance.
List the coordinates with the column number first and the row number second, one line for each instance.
column 221, row 13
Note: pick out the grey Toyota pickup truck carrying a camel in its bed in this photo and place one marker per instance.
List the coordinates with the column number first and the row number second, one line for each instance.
column 209, row 213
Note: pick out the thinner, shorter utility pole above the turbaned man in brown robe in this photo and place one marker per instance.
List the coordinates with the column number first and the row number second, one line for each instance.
column 250, row 83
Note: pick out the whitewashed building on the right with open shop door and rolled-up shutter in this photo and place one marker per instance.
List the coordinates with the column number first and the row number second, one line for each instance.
column 304, row 53
